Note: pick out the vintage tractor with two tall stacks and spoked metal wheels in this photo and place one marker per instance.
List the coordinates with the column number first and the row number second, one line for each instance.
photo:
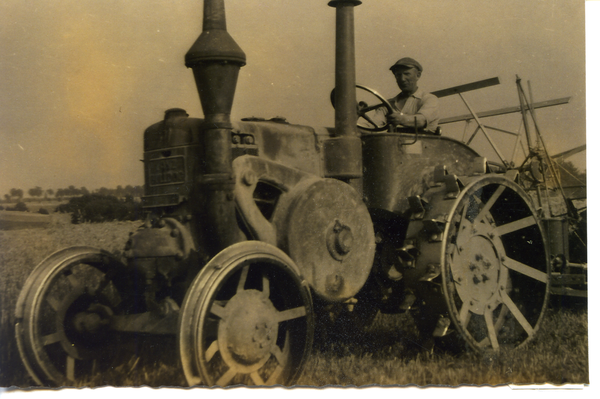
column 257, row 228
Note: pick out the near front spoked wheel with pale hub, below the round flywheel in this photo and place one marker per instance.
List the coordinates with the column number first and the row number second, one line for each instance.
column 247, row 319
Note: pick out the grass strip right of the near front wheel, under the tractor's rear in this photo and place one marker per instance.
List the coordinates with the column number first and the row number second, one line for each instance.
column 557, row 355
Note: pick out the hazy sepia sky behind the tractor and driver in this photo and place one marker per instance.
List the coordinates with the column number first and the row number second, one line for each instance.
column 80, row 80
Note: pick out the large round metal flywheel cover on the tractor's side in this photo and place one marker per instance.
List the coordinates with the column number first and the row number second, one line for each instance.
column 326, row 228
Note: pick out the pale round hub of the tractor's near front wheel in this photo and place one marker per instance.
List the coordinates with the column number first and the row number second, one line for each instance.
column 249, row 332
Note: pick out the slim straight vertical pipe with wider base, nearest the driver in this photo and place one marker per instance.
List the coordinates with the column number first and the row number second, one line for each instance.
column 343, row 154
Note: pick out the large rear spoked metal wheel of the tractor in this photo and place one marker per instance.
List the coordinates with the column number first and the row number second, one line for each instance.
column 496, row 271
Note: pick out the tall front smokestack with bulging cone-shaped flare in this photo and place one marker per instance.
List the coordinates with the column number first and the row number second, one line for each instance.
column 216, row 59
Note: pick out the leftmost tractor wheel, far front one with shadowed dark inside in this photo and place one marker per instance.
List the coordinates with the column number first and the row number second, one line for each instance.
column 63, row 314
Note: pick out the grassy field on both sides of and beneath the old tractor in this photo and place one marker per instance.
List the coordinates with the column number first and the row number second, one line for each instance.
column 386, row 355
